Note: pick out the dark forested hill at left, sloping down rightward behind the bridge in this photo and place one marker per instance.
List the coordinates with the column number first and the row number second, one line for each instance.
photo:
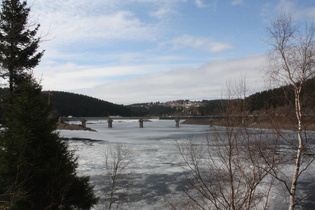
column 71, row 104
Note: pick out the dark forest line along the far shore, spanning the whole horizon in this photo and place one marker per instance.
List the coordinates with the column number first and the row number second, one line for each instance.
column 71, row 104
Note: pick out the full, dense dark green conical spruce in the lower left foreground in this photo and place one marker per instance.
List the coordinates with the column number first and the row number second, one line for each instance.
column 37, row 171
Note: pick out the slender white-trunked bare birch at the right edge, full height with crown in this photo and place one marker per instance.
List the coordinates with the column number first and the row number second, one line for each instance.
column 292, row 63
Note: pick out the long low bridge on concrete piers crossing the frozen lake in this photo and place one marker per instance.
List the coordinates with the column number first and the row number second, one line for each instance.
column 140, row 119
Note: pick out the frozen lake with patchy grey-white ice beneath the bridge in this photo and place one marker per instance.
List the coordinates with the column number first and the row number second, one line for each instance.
column 155, row 169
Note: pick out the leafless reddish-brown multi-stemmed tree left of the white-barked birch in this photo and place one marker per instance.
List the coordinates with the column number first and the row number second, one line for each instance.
column 228, row 169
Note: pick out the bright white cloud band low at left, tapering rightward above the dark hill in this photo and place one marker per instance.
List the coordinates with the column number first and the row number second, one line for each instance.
column 71, row 76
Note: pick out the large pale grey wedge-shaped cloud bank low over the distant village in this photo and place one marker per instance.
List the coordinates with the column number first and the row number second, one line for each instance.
column 205, row 82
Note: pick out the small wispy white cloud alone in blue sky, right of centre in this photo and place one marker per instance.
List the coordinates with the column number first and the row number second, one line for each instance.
column 207, row 44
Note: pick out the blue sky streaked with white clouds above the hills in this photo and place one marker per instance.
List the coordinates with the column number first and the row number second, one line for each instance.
column 134, row 51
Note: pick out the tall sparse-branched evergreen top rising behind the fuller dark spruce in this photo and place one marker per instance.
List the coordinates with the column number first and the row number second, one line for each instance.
column 18, row 43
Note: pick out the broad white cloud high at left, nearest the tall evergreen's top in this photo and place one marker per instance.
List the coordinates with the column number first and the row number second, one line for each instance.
column 121, row 25
